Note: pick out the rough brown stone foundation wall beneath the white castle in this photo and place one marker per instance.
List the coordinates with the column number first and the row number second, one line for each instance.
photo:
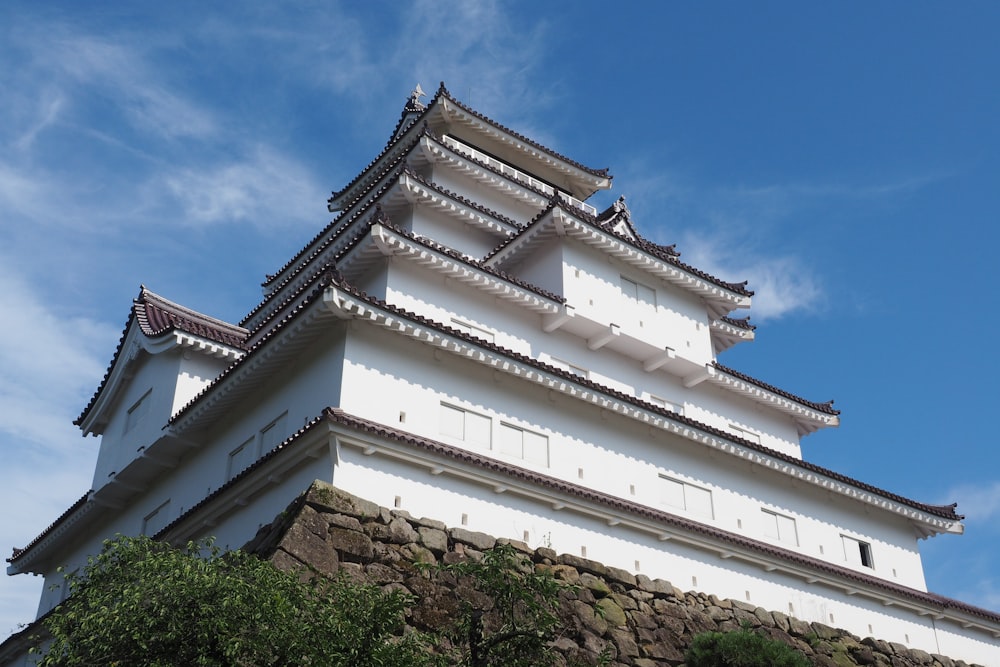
column 640, row 622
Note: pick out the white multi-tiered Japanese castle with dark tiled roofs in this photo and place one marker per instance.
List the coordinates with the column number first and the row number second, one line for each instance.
column 470, row 340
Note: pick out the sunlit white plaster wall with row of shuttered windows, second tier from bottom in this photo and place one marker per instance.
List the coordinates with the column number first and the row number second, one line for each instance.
column 403, row 384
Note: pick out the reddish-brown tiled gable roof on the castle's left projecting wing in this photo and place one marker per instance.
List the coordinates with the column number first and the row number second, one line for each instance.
column 156, row 316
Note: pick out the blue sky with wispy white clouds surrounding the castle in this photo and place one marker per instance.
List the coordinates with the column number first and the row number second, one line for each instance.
column 842, row 157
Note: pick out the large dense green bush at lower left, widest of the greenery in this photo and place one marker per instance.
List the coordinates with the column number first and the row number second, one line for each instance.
column 141, row 602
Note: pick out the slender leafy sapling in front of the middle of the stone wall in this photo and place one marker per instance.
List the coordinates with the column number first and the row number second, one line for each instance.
column 509, row 612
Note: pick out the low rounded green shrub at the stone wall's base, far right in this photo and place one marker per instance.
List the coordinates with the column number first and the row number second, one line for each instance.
column 741, row 648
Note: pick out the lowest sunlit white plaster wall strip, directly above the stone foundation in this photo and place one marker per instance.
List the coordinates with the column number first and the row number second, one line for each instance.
column 458, row 502
